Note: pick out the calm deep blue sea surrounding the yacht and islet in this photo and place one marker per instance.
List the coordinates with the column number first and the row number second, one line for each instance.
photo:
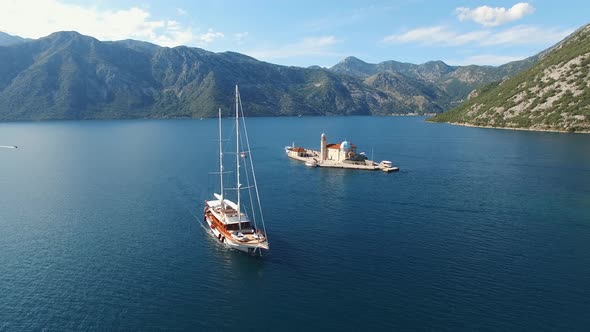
column 100, row 228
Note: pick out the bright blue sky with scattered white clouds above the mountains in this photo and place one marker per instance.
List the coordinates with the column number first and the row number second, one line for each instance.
column 305, row 33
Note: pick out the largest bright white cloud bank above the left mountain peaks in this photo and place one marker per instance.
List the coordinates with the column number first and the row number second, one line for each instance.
column 18, row 18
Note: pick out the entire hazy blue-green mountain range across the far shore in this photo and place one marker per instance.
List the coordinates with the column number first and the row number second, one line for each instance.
column 67, row 75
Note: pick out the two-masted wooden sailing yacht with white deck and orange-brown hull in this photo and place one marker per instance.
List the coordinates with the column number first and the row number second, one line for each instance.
column 227, row 220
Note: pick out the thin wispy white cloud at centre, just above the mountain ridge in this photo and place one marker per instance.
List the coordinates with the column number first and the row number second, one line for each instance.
column 316, row 46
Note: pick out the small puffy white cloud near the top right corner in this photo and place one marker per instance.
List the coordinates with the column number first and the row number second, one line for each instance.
column 494, row 16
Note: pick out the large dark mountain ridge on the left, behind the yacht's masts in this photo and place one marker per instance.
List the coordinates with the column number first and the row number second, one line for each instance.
column 70, row 76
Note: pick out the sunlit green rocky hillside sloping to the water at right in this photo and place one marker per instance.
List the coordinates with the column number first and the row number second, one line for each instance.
column 553, row 94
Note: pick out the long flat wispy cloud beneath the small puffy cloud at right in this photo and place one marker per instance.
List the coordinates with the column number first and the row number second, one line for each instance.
column 444, row 36
